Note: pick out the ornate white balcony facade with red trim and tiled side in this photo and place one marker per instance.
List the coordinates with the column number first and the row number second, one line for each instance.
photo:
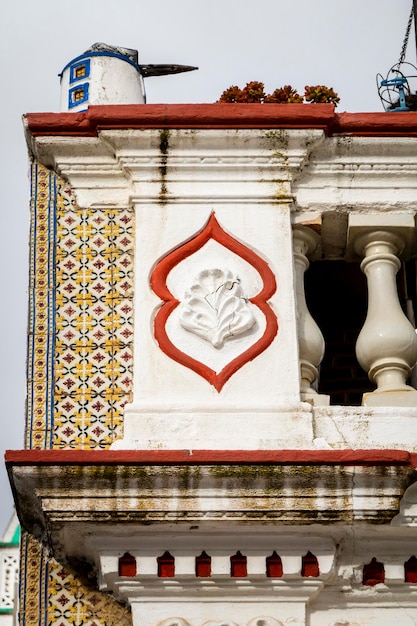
column 235, row 486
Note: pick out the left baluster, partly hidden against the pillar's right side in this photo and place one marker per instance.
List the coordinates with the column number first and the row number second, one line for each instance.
column 310, row 338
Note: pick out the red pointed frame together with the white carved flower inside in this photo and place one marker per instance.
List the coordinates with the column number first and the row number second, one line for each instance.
column 214, row 306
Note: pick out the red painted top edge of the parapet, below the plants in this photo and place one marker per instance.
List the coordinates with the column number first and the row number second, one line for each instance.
column 209, row 116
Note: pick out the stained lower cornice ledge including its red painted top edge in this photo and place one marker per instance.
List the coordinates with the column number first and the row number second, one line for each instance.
column 204, row 486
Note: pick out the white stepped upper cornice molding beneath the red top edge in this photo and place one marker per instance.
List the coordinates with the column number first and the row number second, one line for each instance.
column 295, row 166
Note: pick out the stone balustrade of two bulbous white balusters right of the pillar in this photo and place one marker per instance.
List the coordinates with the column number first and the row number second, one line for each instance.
column 386, row 347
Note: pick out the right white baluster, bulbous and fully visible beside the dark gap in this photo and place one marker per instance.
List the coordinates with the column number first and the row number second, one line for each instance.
column 387, row 344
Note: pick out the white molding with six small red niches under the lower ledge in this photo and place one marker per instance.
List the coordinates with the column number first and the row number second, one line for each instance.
column 241, row 598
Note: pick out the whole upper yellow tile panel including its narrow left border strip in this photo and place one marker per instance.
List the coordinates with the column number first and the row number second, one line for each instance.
column 80, row 355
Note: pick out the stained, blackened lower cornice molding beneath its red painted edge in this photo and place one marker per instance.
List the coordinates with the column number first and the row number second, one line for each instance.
column 48, row 502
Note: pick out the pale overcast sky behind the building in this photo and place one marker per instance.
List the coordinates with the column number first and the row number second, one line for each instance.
column 341, row 43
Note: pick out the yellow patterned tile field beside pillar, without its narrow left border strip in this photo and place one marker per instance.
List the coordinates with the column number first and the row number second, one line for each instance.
column 94, row 282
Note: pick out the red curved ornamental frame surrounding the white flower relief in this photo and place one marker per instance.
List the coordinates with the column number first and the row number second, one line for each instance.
column 158, row 282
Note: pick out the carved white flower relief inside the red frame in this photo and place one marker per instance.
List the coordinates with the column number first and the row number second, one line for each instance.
column 215, row 308
